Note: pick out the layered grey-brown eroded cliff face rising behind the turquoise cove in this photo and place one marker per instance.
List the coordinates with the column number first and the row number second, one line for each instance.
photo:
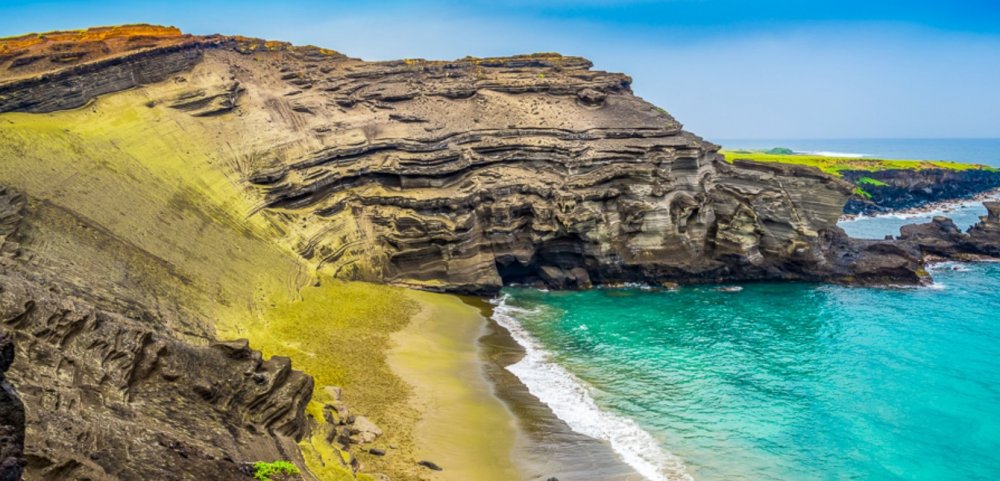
column 469, row 174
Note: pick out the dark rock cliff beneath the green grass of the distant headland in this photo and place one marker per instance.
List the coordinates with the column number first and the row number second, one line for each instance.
column 907, row 189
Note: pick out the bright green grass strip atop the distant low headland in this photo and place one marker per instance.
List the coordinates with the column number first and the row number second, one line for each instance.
column 834, row 165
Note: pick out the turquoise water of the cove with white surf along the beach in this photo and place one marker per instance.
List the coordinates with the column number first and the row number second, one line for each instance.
column 776, row 381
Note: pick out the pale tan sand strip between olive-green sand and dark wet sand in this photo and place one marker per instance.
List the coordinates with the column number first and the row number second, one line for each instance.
column 462, row 427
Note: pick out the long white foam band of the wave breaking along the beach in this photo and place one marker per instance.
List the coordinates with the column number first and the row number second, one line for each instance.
column 571, row 401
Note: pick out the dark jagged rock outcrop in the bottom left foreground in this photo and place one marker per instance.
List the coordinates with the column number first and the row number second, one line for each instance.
column 119, row 395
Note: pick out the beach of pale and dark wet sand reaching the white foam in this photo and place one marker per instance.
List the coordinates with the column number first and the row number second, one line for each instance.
column 477, row 420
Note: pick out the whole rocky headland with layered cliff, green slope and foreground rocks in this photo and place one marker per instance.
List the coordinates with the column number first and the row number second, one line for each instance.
column 167, row 193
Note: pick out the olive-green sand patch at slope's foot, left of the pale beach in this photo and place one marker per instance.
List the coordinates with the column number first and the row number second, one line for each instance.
column 338, row 332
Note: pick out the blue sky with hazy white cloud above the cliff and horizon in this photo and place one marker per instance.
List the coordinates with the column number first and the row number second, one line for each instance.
column 725, row 68
